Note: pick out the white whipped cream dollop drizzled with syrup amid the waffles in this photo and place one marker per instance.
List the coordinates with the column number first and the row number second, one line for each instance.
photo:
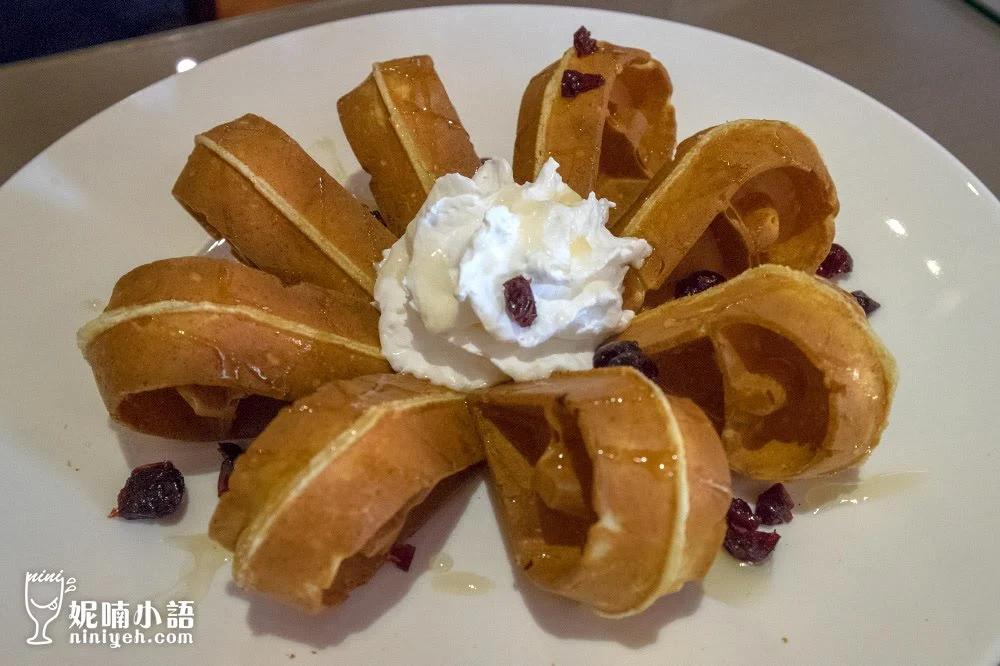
column 440, row 287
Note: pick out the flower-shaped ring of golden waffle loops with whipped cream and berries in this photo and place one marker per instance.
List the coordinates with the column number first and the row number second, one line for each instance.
column 613, row 323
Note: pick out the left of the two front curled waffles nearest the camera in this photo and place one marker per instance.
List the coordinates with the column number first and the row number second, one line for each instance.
column 319, row 498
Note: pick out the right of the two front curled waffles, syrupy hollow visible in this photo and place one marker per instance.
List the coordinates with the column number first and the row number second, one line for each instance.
column 608, row 491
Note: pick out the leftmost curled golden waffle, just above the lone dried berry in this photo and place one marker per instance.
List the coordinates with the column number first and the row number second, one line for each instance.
column 199, row 348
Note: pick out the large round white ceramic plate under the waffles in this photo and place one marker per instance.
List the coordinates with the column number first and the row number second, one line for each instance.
column 906, row 579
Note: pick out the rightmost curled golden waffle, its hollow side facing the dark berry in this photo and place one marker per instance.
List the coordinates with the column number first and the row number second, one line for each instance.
column 784, row 363
